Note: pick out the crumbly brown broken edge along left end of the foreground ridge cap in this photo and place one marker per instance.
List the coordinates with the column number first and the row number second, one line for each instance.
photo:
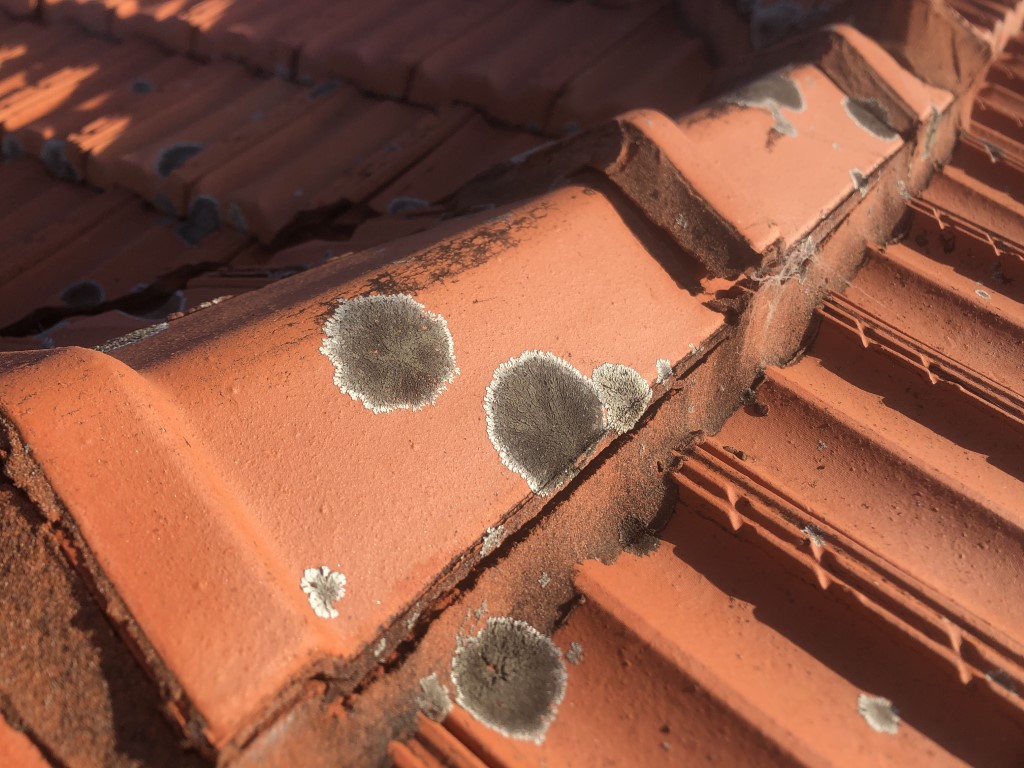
column 177, row 707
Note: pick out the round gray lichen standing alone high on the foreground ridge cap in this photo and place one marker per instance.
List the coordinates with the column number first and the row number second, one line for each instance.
column 390, row 353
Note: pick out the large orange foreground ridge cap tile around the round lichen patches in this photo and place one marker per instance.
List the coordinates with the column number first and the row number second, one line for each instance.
column 266, row 471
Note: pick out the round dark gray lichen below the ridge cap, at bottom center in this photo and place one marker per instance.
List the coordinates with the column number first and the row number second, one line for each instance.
column 510, row 677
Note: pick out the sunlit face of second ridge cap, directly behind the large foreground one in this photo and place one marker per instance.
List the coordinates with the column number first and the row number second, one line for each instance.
column 804, row 155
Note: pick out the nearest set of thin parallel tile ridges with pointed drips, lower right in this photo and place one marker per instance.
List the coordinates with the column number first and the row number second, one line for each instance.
column 842, row 559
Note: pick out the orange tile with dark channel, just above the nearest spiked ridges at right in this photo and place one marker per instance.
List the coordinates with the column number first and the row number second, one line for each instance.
column 842, row 416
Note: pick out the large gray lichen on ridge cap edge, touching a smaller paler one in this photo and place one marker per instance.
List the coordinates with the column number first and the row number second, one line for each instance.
column 543, row 415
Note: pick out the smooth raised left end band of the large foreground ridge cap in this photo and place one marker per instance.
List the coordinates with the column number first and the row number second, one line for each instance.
column 172, row 538
